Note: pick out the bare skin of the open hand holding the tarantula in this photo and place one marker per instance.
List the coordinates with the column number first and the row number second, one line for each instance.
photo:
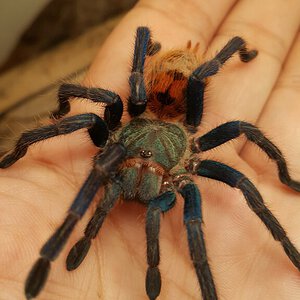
column 246, row 262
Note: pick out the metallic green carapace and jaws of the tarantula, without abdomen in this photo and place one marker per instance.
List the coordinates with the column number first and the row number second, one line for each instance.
column 153, row 149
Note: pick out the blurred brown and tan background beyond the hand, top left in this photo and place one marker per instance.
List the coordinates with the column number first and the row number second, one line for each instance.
column 43, row 43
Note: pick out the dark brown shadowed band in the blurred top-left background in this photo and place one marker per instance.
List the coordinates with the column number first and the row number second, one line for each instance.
column 62, row 20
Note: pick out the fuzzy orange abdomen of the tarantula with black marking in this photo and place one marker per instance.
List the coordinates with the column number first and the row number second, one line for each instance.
column 166, row 76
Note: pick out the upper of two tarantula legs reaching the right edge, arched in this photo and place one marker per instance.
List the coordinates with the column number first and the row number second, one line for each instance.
column 234, row 129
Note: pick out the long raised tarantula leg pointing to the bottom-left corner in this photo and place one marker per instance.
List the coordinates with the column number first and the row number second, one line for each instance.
column 105, row 166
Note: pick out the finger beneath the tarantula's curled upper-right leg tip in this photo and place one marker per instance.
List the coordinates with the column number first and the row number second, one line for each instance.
column 241, row 90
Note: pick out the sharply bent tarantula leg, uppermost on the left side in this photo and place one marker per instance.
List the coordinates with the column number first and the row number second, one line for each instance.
column 114, row 106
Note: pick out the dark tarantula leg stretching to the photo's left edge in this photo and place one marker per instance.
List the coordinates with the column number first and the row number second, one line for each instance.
column 97, row 129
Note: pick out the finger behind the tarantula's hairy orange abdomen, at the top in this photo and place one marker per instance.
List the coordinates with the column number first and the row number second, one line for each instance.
column 172, row 23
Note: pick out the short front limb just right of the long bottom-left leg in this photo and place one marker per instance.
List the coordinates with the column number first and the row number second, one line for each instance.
column 81, row 248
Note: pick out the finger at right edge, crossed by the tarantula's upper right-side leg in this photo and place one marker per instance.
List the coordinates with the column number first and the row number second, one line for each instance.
column 280, row 117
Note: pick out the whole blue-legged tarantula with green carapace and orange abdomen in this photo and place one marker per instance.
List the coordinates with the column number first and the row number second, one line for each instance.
column 153, row 156
